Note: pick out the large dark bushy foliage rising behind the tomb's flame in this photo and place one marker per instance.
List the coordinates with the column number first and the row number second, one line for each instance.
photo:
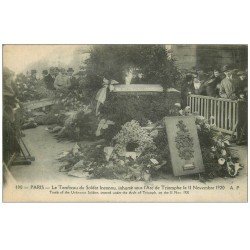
column 111, row 62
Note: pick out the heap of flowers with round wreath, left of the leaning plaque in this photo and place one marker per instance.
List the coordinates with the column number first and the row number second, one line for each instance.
column 119, row 161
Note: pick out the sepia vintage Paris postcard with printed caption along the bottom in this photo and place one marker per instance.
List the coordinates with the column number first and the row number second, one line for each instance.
column 125, row 123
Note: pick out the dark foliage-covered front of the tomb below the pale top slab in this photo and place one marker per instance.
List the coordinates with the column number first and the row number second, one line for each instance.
column 124, row 108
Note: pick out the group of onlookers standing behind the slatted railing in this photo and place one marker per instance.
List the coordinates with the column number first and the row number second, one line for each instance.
column 228, row 83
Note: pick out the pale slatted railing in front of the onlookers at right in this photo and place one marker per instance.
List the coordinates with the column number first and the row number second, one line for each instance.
column 226, row 112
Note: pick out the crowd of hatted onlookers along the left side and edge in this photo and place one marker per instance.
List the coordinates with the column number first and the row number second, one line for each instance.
column 31, row 86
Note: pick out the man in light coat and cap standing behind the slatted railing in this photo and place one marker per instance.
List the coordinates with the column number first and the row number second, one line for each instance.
column 228, row 87
